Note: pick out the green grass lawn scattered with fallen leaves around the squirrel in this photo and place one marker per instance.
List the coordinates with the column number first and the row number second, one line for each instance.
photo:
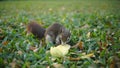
column 102, row 18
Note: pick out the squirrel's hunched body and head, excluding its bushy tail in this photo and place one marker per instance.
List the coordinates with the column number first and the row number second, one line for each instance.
column 57, row 33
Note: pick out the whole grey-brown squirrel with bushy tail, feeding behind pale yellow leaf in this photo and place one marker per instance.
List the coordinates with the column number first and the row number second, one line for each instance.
column 55, row 33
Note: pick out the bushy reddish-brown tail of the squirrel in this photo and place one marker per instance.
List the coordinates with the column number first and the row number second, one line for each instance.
column 36, row 29
